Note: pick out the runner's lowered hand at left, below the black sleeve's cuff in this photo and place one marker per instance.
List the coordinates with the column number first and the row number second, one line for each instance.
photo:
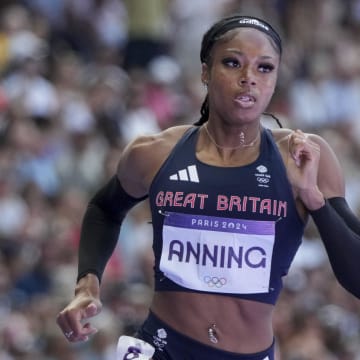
column 86, row 304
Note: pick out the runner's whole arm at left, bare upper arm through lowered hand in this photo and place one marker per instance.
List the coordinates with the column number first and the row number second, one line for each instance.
column 99, row 234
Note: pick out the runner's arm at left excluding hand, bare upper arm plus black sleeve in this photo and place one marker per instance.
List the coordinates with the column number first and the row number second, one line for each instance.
column 109, row 206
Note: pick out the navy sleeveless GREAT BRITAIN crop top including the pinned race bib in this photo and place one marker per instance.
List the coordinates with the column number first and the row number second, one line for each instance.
column 223, row 230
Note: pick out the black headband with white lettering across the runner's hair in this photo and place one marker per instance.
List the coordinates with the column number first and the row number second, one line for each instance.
column 234, row 22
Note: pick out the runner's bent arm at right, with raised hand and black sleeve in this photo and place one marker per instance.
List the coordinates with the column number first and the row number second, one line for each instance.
column 323, row 193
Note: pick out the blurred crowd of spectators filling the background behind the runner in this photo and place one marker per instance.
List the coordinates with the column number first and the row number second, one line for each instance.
column 78, row 81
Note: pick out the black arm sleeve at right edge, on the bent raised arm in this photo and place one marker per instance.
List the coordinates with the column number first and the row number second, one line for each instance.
column 339, row 229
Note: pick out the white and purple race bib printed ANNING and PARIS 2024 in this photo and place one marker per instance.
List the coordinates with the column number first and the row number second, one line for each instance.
column 216, row 254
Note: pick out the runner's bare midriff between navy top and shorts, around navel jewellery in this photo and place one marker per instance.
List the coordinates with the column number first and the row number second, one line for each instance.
column 242, row 326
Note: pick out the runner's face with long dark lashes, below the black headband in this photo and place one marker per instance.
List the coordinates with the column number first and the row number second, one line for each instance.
column 241, row 75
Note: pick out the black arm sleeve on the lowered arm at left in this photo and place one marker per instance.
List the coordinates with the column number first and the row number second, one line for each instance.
column 101, row 226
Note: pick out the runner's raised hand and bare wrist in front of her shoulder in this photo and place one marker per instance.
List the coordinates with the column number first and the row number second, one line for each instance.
column 302, row 167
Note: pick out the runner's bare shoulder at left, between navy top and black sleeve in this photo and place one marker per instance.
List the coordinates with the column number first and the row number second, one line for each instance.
column 142, row 158
